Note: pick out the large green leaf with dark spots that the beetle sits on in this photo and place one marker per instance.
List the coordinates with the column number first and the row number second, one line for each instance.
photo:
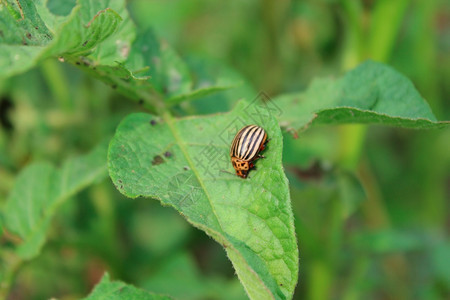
column 180, row 162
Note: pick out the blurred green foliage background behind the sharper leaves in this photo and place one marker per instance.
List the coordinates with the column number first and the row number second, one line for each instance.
column 371, row 205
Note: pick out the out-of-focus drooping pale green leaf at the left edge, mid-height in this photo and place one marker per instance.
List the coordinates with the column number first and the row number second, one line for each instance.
column 40, row 189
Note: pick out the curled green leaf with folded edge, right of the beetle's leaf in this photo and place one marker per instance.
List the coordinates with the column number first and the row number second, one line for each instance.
column 371, row 93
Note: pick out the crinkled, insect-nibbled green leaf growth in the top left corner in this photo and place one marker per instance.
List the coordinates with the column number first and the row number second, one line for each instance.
column 100, row 37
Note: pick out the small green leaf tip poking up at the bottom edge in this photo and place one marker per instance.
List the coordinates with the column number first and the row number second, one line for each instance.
column 112, row 290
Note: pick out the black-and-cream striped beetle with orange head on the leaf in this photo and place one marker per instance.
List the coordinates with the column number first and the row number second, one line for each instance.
column 245, row 148
